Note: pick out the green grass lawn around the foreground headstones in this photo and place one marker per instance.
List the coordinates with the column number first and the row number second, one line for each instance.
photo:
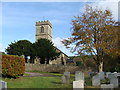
column 43, row 82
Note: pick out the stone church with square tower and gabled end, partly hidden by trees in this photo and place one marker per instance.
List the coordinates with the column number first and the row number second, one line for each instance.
column 44, row 30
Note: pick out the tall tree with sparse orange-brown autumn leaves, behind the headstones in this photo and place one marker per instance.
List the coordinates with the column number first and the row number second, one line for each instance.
column 94, row 33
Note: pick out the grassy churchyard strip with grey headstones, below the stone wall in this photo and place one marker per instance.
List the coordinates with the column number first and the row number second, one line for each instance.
column 66, row 80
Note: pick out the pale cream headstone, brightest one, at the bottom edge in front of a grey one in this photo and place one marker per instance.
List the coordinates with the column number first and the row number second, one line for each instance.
column 78, row 85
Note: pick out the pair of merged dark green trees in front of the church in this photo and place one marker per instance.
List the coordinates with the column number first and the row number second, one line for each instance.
column 43, row 49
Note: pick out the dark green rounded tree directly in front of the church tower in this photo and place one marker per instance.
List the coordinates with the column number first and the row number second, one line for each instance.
column 45, row 50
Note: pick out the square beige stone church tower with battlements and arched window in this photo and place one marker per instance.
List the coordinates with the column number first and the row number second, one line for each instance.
column 43, row 30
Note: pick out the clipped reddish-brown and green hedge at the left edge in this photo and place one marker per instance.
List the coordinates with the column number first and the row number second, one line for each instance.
column 13, row 65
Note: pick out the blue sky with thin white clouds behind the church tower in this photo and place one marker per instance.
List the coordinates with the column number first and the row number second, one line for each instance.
column 18, row 20
